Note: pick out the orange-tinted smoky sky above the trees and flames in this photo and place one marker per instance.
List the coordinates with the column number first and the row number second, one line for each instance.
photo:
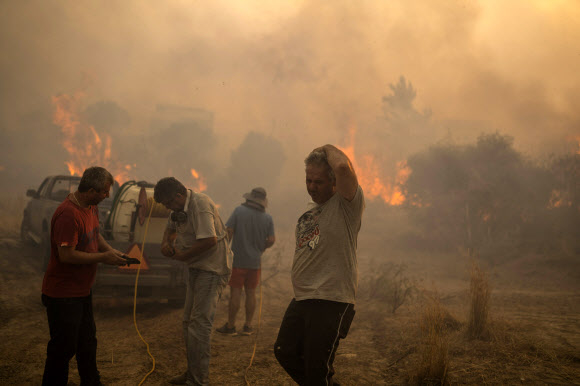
column 302, row 72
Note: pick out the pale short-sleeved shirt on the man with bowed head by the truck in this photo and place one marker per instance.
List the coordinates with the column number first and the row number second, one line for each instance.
column 203, row 221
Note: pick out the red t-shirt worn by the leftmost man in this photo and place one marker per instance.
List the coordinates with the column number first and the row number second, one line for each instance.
column 77, row 227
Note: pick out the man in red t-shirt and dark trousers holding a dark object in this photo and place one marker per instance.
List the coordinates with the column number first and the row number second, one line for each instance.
column 76, row 248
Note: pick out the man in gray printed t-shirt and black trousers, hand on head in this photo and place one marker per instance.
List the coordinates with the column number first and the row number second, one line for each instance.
column 324, row 270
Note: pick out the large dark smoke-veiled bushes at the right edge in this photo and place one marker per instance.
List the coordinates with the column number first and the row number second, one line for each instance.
column 489, row 200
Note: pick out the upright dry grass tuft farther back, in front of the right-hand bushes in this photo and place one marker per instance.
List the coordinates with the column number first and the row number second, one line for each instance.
column 479, row 292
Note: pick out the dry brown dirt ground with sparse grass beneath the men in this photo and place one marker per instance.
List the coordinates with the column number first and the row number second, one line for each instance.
column 534, row 326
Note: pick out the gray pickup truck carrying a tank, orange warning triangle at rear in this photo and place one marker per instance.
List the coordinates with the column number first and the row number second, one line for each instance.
column 130, row 221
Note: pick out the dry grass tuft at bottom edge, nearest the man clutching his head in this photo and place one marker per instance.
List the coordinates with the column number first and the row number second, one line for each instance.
column 434, row 346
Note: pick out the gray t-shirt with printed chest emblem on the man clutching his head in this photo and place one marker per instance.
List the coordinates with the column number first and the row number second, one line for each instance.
column 325, row 263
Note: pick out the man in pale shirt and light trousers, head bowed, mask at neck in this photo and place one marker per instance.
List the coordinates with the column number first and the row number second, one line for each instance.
column 196, row 235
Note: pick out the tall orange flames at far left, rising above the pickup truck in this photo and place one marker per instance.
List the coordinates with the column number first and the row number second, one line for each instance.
column 82, row 142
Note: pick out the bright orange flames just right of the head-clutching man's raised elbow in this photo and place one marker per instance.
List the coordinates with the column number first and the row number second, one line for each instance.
column 370, row 175
